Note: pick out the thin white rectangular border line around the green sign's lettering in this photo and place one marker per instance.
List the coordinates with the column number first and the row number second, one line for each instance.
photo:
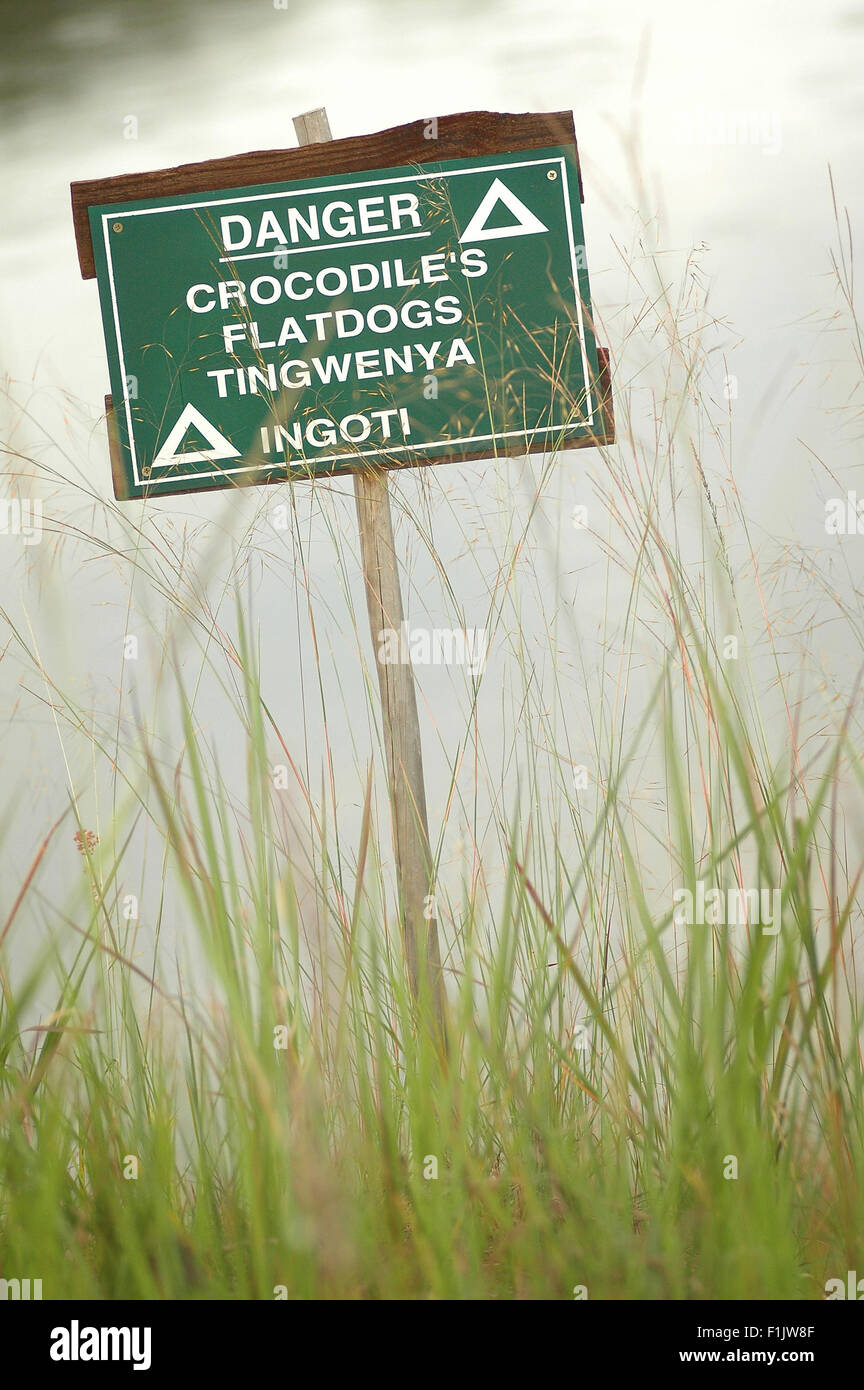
column 334, row 188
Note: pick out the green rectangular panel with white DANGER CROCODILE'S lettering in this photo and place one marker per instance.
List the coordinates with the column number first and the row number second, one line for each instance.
column 380, row 319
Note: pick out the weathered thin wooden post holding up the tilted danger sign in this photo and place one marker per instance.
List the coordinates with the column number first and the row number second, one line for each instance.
column 398, row 708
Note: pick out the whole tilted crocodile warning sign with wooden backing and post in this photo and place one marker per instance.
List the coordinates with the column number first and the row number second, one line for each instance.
column 283, row 316
